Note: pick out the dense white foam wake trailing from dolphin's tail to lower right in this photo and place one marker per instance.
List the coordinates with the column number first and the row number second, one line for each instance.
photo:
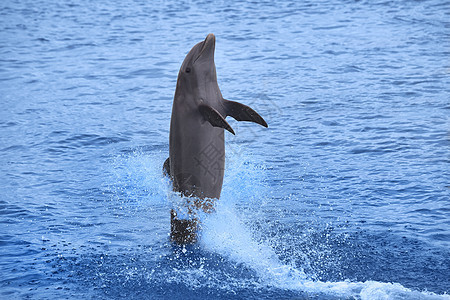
column 224, row 233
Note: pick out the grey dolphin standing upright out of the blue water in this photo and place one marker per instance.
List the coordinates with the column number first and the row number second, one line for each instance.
column 197, row 140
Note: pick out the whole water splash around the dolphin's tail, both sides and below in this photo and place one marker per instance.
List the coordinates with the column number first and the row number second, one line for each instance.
column 229, row 246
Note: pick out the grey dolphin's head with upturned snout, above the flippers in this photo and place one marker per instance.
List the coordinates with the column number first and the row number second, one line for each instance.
column 197, row 75
